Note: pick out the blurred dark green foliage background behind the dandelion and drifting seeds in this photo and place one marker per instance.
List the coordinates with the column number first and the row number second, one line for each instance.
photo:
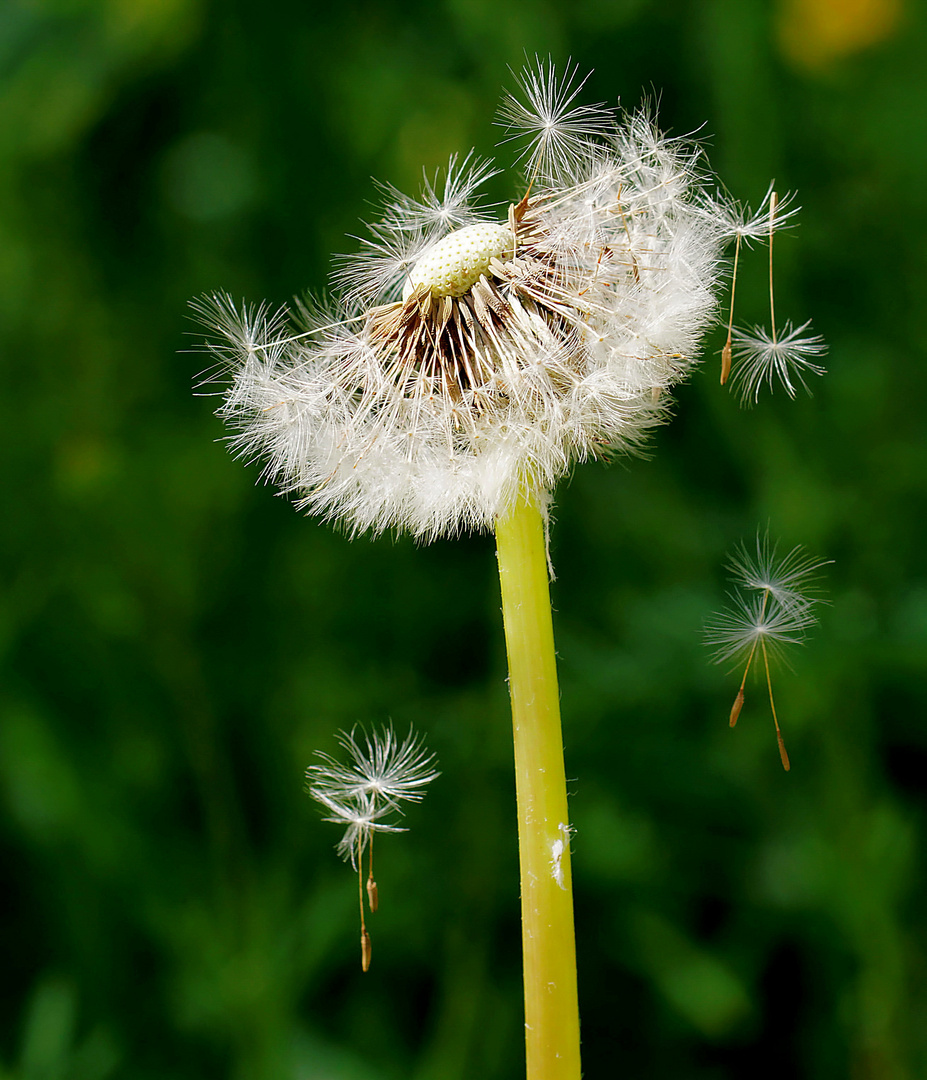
column 177, row 642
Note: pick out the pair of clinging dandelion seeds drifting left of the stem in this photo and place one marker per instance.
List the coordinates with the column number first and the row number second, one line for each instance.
column 360, row 795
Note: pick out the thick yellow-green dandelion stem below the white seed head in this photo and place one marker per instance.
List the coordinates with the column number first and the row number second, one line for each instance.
column 549, row 949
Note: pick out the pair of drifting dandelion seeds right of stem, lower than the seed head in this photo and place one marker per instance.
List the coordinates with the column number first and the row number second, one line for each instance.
column 772, row 610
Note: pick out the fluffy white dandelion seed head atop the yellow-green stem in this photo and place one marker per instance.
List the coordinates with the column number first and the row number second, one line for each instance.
column 401, row 406
